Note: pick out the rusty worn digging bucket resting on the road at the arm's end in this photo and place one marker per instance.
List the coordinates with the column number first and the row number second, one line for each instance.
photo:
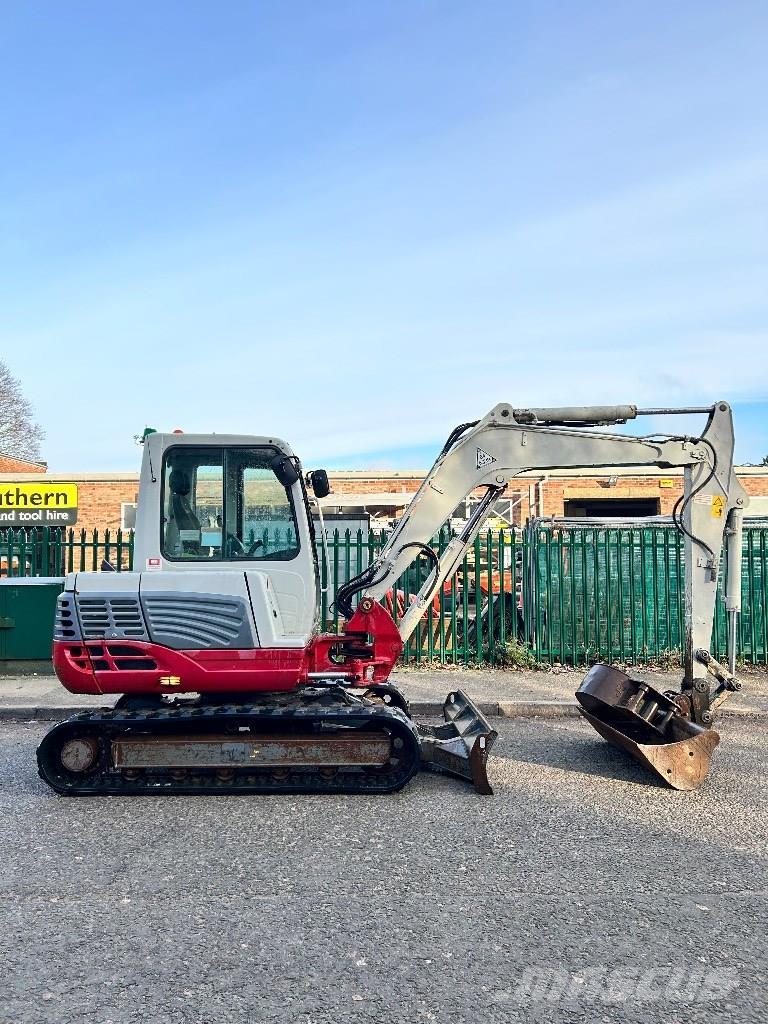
column 638, row 718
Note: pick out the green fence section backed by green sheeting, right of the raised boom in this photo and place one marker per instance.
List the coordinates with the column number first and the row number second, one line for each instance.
column 617, row 593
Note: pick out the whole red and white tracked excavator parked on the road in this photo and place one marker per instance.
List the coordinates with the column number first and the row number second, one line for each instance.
column 229, row 686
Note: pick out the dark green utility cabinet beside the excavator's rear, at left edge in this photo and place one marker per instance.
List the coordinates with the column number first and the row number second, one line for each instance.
column 27, row 609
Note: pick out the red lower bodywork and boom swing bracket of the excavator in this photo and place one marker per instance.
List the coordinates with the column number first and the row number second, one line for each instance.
column 366, row 653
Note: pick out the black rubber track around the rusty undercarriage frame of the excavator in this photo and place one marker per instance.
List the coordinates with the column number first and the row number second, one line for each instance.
column 109, row 726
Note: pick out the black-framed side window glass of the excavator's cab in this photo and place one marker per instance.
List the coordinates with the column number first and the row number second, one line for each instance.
column 226, row 505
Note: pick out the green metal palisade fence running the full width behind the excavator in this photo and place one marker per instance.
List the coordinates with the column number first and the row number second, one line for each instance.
column 566, row 593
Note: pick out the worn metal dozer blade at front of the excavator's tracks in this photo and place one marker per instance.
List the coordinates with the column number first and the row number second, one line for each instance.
column 461, row 747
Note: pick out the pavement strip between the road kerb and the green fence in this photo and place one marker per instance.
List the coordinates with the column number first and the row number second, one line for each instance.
column 497, row 693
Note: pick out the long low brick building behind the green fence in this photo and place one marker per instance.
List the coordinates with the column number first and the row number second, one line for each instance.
column 108, row 500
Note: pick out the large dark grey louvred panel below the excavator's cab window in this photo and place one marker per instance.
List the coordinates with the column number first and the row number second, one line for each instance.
column 198, row 622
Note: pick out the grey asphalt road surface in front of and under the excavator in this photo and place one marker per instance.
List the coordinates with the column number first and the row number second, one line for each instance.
column 580, row 883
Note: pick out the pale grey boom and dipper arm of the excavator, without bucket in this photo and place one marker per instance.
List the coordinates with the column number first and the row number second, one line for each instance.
column 510, row 442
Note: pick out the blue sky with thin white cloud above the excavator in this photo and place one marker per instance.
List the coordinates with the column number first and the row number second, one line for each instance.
column 357, row 225
